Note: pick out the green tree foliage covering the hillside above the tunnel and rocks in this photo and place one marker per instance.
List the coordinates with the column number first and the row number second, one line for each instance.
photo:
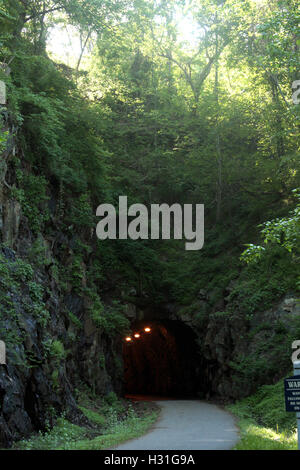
column 143, row 119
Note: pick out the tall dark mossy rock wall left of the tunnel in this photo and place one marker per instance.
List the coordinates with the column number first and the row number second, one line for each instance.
column 53, row 345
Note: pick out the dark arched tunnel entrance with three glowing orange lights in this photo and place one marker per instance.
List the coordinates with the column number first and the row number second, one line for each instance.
column 162, row 361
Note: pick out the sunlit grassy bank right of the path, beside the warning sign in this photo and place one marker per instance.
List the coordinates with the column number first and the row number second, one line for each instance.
column 264, row 424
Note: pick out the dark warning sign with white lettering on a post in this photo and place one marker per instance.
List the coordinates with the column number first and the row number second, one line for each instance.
column 292, row 395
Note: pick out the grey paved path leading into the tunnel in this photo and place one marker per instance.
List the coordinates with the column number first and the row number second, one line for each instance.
column 187, row 425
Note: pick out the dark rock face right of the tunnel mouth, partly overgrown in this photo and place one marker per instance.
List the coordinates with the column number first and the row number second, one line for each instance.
column 248, row 352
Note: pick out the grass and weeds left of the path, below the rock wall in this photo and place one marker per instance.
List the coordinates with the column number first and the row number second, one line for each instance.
column 112, row 422
